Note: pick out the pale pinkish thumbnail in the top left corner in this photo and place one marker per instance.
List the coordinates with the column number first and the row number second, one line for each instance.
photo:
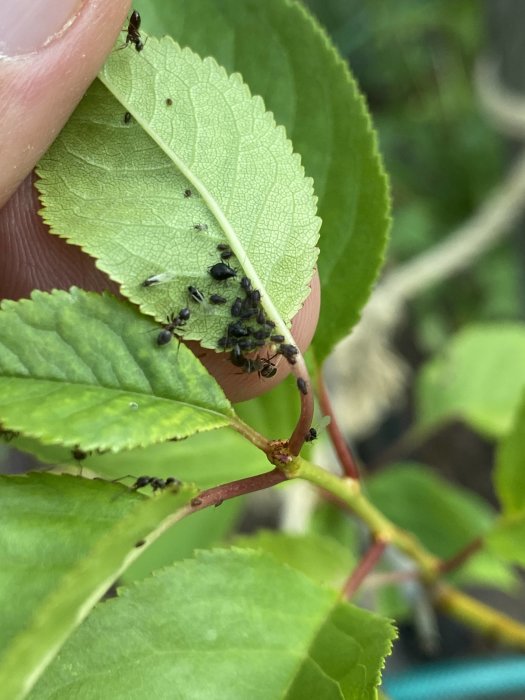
column 28, row 25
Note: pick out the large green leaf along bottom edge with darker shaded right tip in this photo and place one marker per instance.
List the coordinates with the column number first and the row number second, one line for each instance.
column 229, row 624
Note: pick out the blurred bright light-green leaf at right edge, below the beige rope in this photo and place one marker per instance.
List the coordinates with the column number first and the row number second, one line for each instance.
column 478, row 377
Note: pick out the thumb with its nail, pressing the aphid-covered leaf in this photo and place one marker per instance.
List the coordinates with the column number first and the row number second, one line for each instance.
column 49, row 54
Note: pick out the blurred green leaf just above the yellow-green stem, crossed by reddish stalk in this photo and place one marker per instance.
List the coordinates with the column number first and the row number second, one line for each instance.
column 443, row 516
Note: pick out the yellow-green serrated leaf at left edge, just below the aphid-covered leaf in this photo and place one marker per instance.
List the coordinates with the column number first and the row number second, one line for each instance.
column 83, row 369
